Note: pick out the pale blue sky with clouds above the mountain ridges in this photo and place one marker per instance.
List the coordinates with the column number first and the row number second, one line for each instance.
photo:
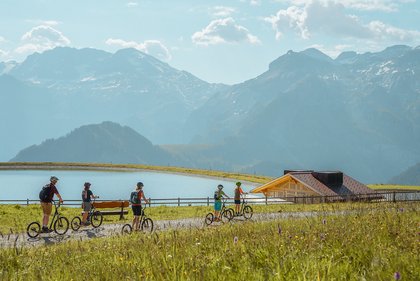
column 227, row 41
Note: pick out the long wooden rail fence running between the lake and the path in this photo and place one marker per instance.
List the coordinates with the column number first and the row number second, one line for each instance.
column 390, row 196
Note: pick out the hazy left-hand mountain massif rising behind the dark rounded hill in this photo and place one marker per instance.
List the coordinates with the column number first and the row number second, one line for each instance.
column 51, row 93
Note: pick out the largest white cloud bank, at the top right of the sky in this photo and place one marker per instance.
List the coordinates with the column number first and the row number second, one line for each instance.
column 331, row 18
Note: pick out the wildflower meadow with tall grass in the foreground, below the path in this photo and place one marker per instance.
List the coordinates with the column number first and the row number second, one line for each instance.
column 372, row 242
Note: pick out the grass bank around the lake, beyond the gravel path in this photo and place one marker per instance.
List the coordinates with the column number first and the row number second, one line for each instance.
column 17, row 217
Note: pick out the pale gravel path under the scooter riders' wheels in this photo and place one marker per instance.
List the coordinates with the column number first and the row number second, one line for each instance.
column 84, row 233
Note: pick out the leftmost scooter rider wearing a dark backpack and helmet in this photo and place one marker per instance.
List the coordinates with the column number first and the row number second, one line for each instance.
column 46, row 196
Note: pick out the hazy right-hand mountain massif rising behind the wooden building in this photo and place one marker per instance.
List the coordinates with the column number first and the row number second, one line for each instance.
column 358, row 113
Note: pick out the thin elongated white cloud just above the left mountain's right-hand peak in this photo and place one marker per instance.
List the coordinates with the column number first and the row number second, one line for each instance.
column 152, row 47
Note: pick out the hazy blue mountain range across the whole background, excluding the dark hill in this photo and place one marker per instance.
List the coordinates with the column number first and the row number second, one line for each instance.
column 358, row 112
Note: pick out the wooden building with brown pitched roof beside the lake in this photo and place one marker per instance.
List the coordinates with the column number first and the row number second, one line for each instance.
column 310, row 183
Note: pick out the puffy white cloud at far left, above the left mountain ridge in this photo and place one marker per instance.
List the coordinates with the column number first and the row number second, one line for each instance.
column 41, row 38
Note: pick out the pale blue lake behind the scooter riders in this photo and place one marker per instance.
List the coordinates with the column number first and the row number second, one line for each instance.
column 26, row 184
